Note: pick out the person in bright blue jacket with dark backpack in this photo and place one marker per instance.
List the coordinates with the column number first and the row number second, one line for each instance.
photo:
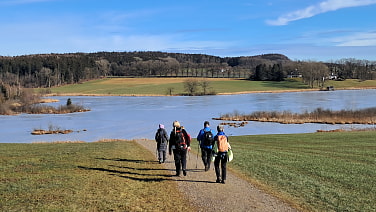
column 206, row 140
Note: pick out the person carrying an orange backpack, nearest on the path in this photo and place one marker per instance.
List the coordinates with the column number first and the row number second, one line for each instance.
column 221, row 147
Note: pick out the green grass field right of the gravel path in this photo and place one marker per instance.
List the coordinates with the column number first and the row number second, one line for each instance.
column 318, row 172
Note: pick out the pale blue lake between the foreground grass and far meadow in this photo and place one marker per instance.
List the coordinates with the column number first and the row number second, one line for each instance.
column 117, row 117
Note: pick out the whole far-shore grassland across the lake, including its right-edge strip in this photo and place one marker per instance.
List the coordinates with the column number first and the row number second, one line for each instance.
column 161, row 86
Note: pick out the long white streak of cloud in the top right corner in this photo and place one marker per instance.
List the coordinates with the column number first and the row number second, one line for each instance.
column 323, row 7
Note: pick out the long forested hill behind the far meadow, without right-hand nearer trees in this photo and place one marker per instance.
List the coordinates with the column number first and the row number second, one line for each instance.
column 46, row 70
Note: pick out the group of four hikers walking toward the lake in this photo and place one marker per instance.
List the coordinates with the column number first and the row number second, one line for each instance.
column 214, row 147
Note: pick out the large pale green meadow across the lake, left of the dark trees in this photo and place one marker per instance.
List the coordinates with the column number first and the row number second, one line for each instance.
column 162, row 85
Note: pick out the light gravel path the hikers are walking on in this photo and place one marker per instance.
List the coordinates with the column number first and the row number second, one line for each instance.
column 236, row 195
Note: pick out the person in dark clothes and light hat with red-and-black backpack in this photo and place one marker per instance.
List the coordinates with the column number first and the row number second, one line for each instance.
column 179, row 144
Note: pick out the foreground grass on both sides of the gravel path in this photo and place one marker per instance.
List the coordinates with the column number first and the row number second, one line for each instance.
column 317, row 172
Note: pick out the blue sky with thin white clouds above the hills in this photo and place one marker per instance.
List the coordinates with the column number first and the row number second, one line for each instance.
column 321, row 30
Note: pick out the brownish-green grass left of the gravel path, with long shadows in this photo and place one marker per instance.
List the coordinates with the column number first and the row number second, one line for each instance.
column 114, row 176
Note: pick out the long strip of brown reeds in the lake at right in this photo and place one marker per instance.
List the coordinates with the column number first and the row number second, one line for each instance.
column 363, row 116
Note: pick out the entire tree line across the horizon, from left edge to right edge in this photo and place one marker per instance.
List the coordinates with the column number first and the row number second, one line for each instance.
column 48, row 70
